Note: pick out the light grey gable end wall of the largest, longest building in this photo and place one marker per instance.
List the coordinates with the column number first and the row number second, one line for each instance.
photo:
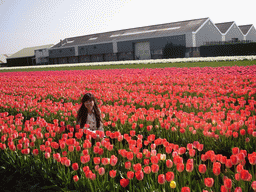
column 207, row 33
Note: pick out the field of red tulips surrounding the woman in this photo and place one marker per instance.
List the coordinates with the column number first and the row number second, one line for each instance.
column 165, row 129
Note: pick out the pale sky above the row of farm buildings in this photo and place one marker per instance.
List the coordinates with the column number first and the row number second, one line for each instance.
column 29, row 23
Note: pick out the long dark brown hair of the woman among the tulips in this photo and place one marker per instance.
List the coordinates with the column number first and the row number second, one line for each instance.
column 83, row 112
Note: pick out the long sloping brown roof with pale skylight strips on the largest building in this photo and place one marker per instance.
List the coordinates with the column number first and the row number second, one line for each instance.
column 180, row 27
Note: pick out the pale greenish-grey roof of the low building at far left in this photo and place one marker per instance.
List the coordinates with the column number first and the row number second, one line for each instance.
column 29, row 51
